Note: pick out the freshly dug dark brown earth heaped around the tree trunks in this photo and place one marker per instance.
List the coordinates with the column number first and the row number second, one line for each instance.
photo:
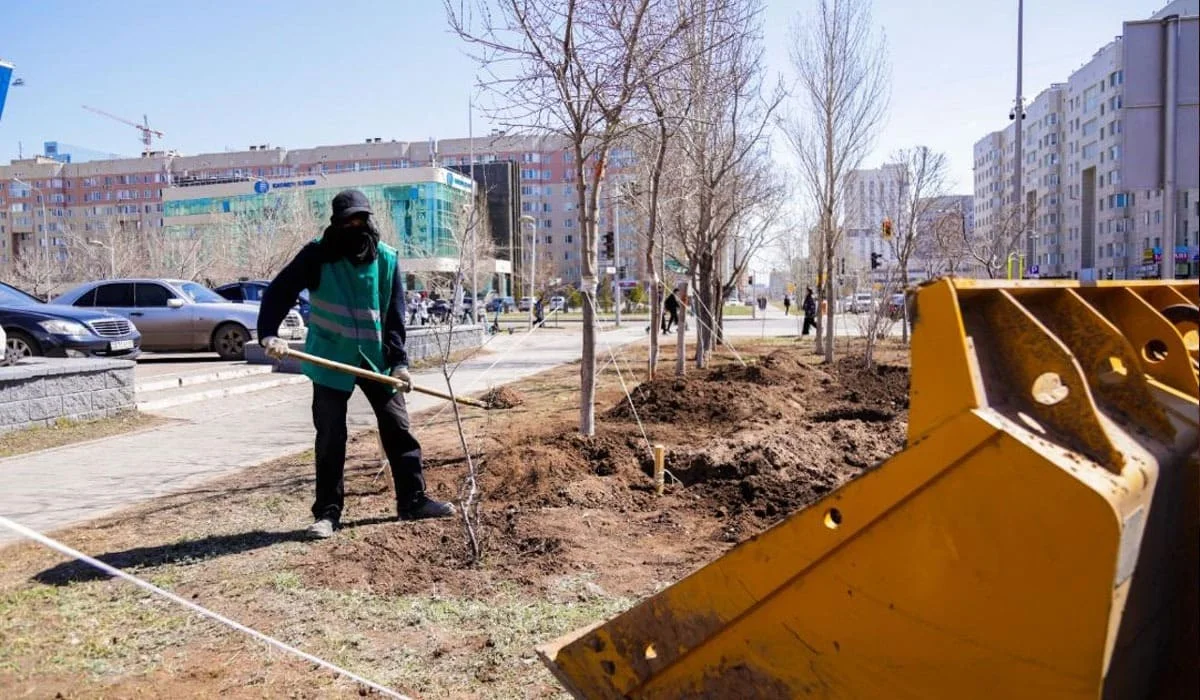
column 746, row 447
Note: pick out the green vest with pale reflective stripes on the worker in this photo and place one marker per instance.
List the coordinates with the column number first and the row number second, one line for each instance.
column 346, row 319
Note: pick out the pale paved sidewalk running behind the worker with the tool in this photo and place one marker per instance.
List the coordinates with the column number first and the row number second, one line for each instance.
column 73, row 484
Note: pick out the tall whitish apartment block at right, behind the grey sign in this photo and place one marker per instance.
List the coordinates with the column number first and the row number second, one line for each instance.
column 1085, row 220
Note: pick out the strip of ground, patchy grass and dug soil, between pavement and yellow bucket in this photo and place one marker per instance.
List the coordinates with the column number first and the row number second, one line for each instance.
column 573, row 534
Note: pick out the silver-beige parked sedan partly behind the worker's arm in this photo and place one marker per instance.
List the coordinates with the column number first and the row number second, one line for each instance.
column 177, row 315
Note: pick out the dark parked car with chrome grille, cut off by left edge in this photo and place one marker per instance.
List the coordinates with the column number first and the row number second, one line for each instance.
column 33, row 327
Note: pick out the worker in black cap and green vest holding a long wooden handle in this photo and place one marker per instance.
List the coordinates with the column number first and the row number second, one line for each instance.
column 358, row 319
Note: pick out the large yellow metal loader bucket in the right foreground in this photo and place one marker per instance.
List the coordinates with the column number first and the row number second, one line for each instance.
column 1039, row 539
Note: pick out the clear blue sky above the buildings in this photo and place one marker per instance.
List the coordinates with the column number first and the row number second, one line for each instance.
column 299, row 74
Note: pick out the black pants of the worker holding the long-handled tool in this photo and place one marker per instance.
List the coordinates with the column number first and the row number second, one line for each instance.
column 399, row 444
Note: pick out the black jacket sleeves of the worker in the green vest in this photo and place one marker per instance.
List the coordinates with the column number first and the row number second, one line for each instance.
column 304, row 273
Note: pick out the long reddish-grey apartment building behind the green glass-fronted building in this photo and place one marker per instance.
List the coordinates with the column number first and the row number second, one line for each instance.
column 41, row 198
